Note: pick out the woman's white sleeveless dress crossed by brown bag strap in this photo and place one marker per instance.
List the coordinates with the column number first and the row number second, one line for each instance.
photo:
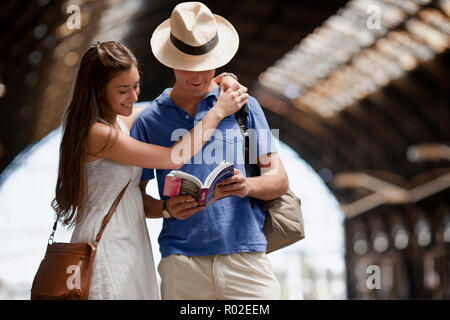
column 123, row 266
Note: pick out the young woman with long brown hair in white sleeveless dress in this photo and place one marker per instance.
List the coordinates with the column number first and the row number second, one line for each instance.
column 98, row 158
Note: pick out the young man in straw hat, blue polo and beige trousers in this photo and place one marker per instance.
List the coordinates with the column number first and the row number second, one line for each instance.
column 217, row 251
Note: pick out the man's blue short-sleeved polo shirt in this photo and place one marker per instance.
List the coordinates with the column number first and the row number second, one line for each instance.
column 229, row 225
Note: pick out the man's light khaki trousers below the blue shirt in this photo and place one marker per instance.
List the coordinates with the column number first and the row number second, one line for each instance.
column 237, row 276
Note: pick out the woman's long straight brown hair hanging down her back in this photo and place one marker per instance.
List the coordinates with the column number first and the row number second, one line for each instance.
column 99, row 64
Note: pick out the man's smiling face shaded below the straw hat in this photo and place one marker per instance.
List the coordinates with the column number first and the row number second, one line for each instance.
column 195, row 83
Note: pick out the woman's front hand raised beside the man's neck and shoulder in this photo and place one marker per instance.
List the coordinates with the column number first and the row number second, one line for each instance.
column 230, row 101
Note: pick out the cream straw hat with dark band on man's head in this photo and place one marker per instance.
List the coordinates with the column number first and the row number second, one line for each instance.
column 194, row 39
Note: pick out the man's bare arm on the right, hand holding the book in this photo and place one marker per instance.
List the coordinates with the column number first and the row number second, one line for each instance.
column 272, row 183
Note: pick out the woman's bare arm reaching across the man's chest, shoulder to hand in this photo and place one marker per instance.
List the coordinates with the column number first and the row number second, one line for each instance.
column 124, row 149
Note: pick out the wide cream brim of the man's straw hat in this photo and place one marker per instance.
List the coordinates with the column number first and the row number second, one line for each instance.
column 170, row 56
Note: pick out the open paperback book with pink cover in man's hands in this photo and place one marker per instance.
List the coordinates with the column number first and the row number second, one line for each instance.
column 181, row 183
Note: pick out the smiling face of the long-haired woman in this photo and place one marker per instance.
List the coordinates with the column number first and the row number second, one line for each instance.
column 122, row 91
